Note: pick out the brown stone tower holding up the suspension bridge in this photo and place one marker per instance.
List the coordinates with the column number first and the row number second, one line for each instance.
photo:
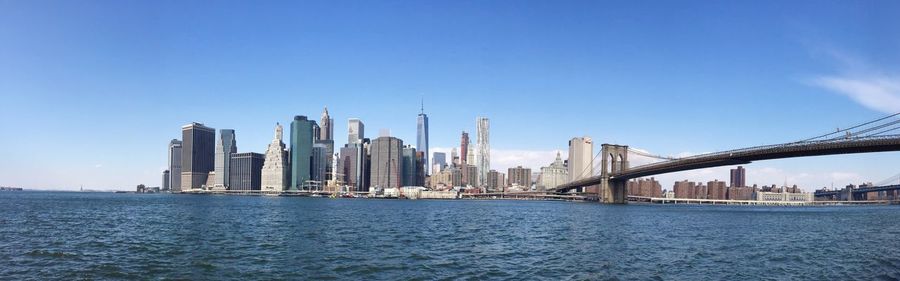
column 614, row 161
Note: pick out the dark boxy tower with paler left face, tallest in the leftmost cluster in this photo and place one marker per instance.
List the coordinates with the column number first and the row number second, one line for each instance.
column 197, row 155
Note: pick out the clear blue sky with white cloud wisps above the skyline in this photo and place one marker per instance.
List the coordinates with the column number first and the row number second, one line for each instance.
column 93, row 91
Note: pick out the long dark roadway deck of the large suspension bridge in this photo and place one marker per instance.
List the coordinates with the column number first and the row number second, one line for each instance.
column 747, row 155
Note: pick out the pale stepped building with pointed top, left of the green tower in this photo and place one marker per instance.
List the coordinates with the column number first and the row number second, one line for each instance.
column 275, row 173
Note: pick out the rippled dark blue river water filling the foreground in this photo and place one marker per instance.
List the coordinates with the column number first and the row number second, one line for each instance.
column 70, row 235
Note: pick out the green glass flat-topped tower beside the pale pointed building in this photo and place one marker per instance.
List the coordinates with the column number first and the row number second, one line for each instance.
column 301, row 151
